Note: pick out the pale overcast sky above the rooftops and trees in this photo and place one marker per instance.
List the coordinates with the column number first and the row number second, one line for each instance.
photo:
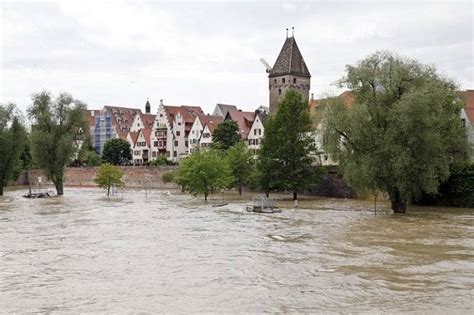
column 203, row 53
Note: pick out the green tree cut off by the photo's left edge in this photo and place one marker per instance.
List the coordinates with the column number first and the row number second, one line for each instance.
column 12, row 140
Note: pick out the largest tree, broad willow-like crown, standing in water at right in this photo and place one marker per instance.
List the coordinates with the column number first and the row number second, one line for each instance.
column 402, row 135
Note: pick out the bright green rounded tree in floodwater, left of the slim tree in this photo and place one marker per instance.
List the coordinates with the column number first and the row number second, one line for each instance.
column 204, row 173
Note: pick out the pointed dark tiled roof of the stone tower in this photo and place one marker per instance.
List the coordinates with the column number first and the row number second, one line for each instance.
column 290, row 61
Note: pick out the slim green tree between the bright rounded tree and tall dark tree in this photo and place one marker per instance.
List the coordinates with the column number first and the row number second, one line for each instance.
column 241, row 163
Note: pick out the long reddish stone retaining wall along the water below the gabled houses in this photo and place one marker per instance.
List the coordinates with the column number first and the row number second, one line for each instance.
column 134, row 177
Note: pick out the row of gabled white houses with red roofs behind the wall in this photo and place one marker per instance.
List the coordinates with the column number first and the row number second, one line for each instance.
column 174, row 132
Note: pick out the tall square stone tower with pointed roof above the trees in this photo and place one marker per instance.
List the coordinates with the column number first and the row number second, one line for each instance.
column 289, row 72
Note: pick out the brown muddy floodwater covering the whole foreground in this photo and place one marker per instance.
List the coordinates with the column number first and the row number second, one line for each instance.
column 173, row 253
